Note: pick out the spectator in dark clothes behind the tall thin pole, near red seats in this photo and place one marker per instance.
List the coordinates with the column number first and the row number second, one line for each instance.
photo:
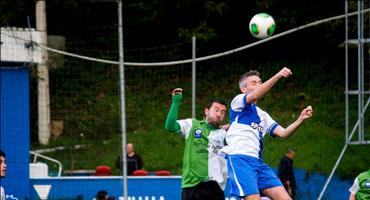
column 134, row 161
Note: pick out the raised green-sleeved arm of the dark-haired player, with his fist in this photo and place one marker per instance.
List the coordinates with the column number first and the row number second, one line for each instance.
column 171, row 121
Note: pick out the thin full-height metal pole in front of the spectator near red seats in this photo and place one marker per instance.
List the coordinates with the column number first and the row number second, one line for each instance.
column 122, row 96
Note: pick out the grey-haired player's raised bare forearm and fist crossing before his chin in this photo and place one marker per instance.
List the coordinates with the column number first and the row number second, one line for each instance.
column 265, row 87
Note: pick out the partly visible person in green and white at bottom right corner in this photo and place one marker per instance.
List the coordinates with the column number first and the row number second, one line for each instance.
column 360, row 189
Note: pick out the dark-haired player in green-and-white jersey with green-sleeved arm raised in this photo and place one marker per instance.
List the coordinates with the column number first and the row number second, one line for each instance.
column 204, row 173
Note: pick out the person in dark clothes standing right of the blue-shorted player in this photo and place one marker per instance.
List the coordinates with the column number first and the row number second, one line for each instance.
column 286, row 173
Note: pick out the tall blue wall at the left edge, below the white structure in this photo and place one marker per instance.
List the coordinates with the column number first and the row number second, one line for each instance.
column 15, row 129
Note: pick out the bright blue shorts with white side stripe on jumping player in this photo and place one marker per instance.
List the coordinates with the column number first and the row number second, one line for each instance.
column 249, row 175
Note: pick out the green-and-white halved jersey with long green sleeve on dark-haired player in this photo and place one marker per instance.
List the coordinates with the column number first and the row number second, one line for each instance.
column 201, row 161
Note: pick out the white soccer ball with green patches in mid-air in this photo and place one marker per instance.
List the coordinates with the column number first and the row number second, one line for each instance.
column 262, row 25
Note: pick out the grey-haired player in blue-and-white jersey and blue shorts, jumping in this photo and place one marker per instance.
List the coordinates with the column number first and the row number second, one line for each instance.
column 249, row 175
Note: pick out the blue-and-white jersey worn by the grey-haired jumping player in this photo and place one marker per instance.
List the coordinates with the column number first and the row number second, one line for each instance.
column 249, row 124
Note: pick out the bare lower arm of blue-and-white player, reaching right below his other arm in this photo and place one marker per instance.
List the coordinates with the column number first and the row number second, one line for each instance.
column 286, row 132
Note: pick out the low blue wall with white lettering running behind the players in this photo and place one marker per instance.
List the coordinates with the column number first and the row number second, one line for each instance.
column 169, row 188
